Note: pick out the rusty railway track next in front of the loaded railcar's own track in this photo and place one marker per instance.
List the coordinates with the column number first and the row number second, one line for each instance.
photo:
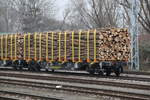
column 77, row 80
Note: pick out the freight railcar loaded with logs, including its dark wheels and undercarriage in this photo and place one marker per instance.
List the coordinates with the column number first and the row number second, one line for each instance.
column 101, row 51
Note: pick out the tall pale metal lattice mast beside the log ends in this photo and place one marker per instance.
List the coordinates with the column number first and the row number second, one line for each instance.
column 134, row 36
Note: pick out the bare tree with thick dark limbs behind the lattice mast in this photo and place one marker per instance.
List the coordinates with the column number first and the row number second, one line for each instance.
column 144, row 13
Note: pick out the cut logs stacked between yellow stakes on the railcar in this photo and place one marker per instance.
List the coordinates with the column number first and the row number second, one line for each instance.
column 112, row 44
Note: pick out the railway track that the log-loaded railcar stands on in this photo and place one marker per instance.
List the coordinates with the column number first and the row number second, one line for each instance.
column 122, row 77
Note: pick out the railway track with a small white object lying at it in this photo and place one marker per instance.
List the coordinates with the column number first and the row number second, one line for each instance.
column 78, row 89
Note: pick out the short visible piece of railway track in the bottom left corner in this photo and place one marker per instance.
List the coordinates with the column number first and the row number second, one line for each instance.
column 7, row 95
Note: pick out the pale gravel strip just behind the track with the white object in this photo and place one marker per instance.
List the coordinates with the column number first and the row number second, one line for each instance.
column 80, row 85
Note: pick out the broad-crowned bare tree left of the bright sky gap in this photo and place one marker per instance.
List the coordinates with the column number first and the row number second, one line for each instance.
column 32, row 12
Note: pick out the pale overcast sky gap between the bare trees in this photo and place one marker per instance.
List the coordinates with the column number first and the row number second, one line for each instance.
column 60, row 5
